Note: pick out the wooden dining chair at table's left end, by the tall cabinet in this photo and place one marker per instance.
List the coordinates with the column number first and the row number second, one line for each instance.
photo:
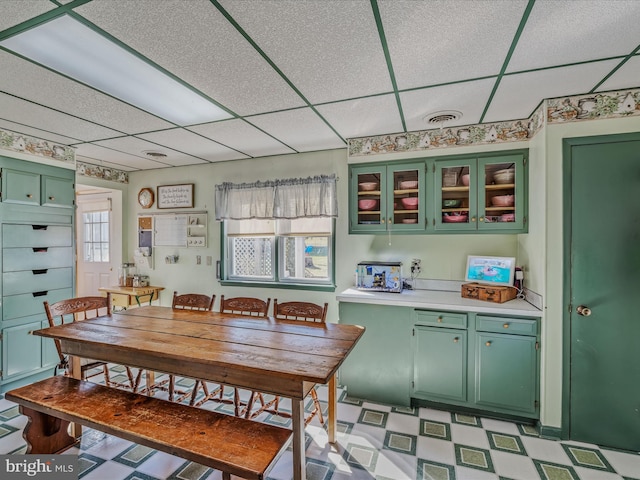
column 78, row 309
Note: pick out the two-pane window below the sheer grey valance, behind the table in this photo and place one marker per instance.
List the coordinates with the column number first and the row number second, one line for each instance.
column 292, row 252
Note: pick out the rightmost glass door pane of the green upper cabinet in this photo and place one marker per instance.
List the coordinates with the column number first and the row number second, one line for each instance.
column 500, row 192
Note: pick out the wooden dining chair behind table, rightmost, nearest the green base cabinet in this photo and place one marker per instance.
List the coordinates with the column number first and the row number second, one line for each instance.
column 299, row 312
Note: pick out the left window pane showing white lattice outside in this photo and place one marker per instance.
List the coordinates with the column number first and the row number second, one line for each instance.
column 251, row 257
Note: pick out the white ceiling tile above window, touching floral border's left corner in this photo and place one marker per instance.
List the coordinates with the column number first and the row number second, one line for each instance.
column 301, row 129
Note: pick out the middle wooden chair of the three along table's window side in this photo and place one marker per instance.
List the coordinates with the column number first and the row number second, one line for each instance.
column 250, row 306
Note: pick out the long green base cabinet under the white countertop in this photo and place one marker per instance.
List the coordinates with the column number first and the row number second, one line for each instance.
column 407, row 356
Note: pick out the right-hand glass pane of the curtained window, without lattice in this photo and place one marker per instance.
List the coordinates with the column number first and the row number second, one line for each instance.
column 306, row 258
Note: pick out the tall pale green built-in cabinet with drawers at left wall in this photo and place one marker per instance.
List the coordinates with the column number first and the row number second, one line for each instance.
column 37, row 261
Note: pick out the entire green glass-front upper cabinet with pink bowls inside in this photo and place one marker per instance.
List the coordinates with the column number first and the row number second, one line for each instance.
column 479, row 193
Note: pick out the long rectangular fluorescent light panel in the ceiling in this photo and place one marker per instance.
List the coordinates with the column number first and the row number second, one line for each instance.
column 73, row 49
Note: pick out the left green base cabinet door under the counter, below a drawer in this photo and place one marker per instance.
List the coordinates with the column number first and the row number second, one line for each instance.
column 440, row 363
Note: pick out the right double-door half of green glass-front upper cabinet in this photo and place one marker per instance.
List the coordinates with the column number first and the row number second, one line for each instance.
column 481, row 193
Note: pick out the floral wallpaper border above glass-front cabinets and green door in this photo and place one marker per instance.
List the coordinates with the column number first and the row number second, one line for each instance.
column 577, row 108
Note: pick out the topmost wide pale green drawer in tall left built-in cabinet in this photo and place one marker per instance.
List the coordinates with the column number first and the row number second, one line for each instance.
column 36, row 236
